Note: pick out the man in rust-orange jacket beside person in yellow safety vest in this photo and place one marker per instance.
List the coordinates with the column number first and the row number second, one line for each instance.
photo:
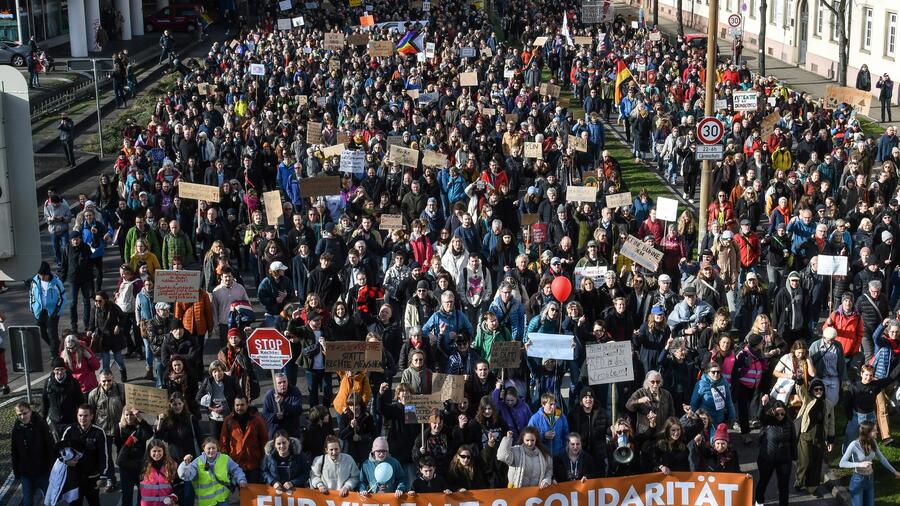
column 243, row 435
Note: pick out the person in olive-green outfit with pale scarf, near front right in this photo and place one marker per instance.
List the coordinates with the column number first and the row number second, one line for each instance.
column 816, row 434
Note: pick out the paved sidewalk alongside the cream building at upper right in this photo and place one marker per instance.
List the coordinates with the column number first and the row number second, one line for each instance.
column 794, row 76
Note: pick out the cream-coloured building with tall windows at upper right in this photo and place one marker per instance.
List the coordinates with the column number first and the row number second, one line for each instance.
column 804, row 32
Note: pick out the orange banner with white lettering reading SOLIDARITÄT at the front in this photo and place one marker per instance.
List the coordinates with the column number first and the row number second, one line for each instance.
column 706, row 489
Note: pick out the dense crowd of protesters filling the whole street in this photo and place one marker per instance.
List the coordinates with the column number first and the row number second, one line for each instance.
column 727, row 332
